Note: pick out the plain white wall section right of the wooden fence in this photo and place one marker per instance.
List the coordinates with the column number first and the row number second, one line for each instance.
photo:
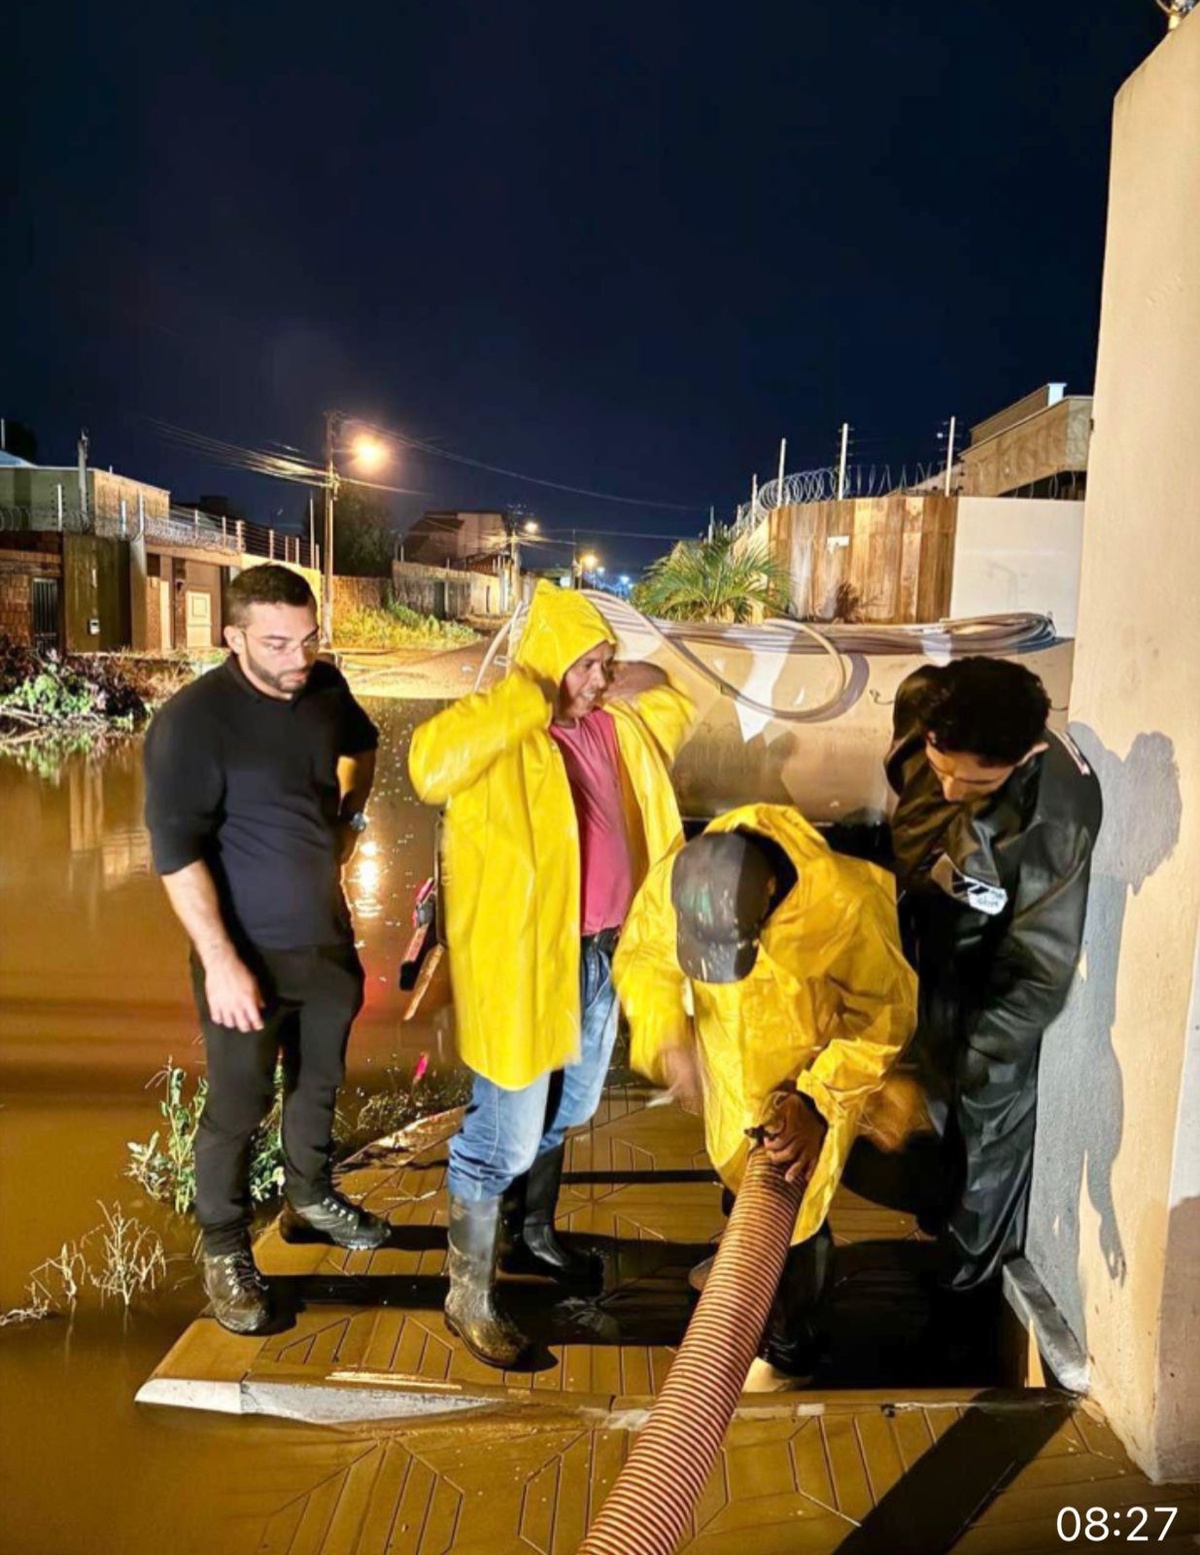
column 1013, row 554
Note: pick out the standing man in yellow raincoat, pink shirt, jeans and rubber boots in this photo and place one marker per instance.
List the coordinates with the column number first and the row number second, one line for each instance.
column 559, row 800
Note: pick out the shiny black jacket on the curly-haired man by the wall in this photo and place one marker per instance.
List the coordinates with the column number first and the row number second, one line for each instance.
column 992, row 896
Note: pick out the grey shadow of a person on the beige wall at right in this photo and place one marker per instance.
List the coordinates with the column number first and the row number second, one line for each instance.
column 1081, row 1089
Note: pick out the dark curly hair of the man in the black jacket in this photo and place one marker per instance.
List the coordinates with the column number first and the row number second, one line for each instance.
column 992, row 710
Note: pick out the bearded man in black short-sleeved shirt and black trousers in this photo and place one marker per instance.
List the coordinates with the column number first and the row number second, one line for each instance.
column 257, row 777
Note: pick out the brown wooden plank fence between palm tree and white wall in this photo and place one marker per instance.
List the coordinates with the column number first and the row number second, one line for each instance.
column 896, row 553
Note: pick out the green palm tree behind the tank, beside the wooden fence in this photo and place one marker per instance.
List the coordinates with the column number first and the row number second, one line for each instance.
column 717, row 579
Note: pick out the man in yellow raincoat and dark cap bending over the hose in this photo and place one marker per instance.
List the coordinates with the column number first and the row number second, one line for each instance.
column 764, row 974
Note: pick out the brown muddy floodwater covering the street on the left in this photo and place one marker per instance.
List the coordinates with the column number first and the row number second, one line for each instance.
column 94, row 1001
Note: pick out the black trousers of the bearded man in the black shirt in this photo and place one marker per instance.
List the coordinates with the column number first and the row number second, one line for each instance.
column 312, row 1001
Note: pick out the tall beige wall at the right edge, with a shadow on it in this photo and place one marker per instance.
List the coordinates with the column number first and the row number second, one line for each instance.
column 1115, row 1225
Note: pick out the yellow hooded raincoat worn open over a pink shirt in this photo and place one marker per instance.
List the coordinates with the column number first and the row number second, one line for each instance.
column 512, row 850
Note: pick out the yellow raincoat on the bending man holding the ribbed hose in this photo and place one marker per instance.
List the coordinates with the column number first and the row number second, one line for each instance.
column 831, row 1005
